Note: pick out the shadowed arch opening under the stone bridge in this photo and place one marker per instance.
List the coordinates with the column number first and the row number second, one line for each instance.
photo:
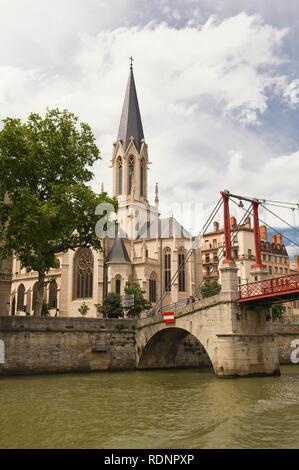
column 173, row 348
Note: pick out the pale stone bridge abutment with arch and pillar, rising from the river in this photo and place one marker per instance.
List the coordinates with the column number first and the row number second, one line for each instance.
column 238, row 339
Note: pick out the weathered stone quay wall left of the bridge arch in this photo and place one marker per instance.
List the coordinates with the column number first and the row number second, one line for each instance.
column 57, row 345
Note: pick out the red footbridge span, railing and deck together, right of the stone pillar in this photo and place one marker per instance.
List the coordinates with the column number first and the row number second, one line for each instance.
column 271, row 291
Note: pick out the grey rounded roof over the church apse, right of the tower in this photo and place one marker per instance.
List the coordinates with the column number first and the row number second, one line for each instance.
column 169, row 228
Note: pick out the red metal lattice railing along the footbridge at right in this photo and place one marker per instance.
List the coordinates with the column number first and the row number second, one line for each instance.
column 270, row 287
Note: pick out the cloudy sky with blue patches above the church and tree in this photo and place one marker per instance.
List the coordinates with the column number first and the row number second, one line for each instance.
column 218, row 86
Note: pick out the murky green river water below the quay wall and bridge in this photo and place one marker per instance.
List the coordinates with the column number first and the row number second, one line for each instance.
column 150, row 409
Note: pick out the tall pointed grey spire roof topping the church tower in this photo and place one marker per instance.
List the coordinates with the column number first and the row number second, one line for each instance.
column 130, row 121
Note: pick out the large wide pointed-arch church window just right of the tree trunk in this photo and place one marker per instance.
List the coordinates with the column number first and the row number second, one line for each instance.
column 83, row 274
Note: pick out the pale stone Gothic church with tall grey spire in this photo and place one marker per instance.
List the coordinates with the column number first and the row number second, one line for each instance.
column 147, row 249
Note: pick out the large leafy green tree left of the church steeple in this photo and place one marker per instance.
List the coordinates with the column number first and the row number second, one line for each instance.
column 45, row 166
